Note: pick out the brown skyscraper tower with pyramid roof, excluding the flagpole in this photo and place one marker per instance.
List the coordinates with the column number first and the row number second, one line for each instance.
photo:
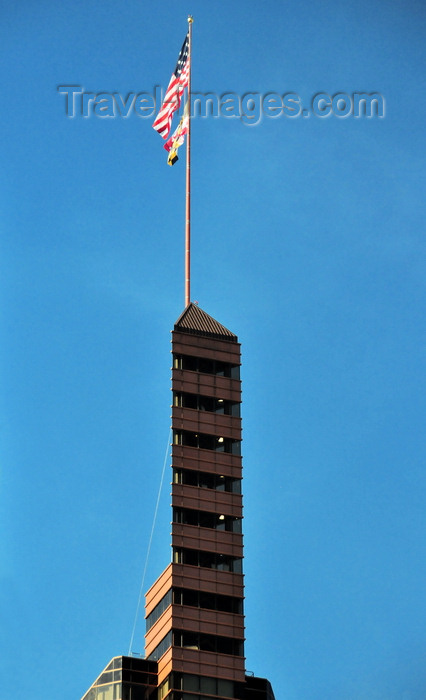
column 194, row 643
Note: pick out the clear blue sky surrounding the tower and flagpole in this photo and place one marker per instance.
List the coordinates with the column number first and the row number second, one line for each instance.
column 308, row 242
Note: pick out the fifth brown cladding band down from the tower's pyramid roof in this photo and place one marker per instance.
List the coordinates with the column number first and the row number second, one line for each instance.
column 185, row 496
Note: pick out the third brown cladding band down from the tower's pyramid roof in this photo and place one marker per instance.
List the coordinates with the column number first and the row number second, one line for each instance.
column 206, row 422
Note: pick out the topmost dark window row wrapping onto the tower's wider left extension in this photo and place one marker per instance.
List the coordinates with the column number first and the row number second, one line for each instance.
column 194, row 599
